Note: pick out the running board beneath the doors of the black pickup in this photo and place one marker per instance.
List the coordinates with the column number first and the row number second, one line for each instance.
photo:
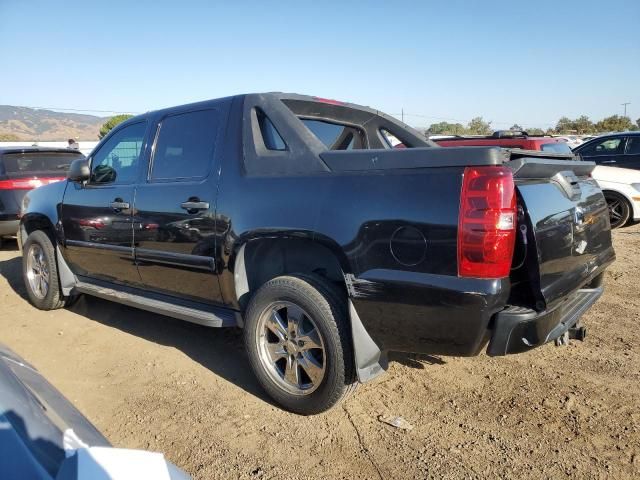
column 194, row 312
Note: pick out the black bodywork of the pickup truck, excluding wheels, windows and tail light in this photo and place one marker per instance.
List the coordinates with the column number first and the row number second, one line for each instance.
column 387, row 217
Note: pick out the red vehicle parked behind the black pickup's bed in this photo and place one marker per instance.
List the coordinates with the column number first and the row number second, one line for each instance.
column 508, row 139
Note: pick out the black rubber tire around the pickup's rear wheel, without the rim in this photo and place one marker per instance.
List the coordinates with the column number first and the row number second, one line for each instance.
column 327, row 307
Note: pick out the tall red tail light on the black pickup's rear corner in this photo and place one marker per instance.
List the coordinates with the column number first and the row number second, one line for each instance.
column 487, row 223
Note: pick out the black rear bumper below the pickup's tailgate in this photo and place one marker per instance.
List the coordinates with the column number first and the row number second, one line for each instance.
column 518, row 329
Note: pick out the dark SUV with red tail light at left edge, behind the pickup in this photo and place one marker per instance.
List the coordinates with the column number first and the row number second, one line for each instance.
column 25, row 168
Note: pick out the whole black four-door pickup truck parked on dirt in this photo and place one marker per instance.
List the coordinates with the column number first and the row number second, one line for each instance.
column 294, row 218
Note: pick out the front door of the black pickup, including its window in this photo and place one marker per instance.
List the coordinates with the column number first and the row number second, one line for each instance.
column 97, row 217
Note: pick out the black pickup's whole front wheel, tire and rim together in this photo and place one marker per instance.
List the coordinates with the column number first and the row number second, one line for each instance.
column 40, row 272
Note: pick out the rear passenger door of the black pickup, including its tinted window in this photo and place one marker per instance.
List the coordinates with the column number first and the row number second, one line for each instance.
column 174, row 227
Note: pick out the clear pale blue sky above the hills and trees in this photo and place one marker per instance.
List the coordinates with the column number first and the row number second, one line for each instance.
column 507, row 61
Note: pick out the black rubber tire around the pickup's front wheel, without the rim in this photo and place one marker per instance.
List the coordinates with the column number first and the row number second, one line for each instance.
column 53, row 299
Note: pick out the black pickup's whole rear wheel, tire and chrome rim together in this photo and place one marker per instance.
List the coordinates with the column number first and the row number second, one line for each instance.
column 306, row 364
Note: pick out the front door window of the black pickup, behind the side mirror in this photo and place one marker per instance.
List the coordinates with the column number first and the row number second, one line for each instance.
column 117, row 160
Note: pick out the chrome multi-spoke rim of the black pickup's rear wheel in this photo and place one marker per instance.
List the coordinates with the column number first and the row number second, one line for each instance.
column 291, row 348
